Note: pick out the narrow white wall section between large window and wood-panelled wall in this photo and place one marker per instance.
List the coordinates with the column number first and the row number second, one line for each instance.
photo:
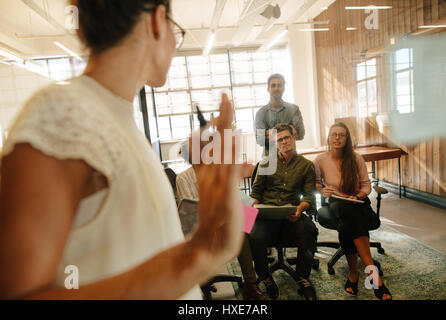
column 303, row 60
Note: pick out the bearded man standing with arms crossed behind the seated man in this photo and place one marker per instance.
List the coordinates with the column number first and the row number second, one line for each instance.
column 277, row 111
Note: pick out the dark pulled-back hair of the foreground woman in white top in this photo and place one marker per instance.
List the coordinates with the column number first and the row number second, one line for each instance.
column 105, row 23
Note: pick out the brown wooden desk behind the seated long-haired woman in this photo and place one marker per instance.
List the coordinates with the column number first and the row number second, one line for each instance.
column 370, row 154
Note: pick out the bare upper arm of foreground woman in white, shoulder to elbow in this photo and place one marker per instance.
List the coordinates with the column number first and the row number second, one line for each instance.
column 37, row 203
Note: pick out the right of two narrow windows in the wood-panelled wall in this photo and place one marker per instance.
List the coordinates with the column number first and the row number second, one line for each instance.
column 403, row 97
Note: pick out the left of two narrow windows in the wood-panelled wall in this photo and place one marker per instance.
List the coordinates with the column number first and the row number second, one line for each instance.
column 366, row 88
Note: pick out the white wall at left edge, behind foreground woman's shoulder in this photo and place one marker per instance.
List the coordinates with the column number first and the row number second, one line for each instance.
column 16, row 85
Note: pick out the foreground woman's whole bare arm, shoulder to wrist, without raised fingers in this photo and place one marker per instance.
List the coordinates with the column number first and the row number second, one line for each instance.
column 36, row 215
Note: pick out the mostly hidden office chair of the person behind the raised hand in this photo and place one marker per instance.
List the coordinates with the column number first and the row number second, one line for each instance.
column 188, row 212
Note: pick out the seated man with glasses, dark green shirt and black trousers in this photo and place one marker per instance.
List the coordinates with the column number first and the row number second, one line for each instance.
column 294, row 177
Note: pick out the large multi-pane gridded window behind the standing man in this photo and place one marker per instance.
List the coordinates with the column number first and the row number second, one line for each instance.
column 200, row 80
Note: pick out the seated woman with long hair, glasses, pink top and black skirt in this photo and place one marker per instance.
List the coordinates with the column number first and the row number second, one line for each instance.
column 343, row 172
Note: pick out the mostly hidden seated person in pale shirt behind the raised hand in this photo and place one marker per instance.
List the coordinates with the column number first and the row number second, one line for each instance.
column 187, row 188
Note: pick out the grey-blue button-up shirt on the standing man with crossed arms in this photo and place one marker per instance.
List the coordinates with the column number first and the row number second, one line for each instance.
column 267, row 118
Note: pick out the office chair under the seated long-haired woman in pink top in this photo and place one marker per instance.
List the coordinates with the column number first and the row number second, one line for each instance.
column 326, row 219
